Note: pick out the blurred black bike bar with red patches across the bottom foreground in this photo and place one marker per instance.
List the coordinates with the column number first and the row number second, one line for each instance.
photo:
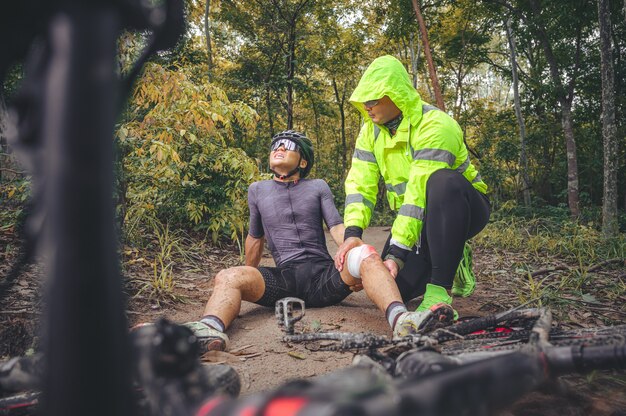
column 479, row 388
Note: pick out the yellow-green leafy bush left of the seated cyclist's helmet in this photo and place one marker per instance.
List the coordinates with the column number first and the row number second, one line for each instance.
column 179, row 164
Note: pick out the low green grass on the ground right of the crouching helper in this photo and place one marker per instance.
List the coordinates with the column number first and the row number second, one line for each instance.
column 567, row 252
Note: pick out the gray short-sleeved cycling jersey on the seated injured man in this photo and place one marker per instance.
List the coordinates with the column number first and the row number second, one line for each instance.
column 290, row 214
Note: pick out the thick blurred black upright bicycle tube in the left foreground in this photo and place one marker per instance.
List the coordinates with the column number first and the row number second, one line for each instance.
column 85, row 316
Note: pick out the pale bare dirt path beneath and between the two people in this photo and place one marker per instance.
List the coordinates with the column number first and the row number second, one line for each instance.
column 264, row 361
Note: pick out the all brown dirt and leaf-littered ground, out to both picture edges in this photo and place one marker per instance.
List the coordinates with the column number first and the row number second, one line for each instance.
column 264, row 362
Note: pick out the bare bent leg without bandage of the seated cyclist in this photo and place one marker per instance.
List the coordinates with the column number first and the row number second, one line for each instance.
column 231, row 287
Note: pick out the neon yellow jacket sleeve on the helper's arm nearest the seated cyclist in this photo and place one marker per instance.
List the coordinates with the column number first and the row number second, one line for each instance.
column 362, row 181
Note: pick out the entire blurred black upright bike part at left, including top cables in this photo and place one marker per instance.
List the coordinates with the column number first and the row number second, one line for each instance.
column 67, row 108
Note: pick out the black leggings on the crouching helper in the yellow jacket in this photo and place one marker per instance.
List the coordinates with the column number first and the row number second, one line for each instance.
column 455, row 212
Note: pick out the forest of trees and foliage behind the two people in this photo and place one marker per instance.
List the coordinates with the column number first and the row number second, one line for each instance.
column 537, row 87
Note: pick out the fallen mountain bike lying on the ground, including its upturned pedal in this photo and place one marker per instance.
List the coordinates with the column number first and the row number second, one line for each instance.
column 474, row 367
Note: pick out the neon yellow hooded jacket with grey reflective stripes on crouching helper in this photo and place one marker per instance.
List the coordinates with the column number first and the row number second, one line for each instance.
column 427, row 140
